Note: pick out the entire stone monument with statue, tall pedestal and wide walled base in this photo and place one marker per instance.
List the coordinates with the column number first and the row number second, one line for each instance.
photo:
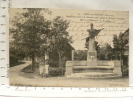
column 92, row 67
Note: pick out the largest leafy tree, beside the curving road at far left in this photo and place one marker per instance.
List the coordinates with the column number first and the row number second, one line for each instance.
column 27, row 30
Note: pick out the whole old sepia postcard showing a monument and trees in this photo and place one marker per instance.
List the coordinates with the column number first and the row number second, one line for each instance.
column 68, row 47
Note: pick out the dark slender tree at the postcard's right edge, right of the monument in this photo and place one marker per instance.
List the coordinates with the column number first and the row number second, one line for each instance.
column 119, row 43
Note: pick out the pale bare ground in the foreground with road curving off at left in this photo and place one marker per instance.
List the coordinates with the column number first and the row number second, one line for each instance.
column 19, row 78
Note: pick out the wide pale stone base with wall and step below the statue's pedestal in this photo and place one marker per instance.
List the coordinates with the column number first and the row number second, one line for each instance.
column 91, row 69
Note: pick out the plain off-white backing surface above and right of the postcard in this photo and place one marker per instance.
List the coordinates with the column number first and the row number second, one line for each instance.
column 121, row 5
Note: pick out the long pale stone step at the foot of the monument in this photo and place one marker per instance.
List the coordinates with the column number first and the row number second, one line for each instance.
column 94, row 75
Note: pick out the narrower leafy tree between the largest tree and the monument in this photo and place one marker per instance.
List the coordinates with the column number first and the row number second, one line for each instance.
column 59, row 38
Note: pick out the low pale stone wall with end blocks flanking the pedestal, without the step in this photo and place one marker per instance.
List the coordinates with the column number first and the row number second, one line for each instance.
column 103, row 66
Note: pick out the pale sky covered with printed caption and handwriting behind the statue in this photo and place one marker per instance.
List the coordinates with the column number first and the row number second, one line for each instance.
column 113, row 22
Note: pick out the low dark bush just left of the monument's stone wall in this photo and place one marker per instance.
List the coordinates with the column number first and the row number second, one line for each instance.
column 56, row 71
